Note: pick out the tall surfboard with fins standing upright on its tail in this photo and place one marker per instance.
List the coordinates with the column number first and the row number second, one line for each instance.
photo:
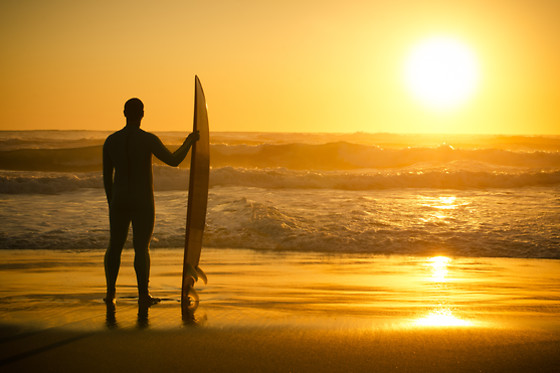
column 197, row 202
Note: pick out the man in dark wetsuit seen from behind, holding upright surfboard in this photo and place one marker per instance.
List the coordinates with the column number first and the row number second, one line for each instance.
column 128, row 181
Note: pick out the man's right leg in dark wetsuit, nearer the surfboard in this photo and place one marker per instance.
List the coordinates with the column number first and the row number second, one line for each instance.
column 143, row 226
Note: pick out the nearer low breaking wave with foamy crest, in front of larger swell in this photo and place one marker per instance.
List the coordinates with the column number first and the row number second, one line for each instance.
column 167, row 178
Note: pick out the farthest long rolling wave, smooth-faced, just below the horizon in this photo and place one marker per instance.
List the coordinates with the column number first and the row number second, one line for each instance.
column 331, row 156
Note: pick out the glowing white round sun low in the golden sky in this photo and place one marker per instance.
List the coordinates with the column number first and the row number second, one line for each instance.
column 441, row 72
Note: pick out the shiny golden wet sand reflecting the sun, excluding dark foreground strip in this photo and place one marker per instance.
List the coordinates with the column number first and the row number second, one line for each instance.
column 264, row 288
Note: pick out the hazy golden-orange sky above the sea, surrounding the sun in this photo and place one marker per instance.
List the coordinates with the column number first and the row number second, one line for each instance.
column 291, row 65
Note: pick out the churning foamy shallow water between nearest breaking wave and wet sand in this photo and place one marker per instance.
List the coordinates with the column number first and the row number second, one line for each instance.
column 500, row 222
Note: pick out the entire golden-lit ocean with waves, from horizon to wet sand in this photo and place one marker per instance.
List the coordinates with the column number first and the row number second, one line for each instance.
column 381, row 194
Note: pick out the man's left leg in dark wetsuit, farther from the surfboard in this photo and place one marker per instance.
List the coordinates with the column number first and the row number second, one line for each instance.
column 119, row 223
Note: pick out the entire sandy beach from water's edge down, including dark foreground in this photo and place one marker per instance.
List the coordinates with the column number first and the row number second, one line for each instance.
column 266, row 311
